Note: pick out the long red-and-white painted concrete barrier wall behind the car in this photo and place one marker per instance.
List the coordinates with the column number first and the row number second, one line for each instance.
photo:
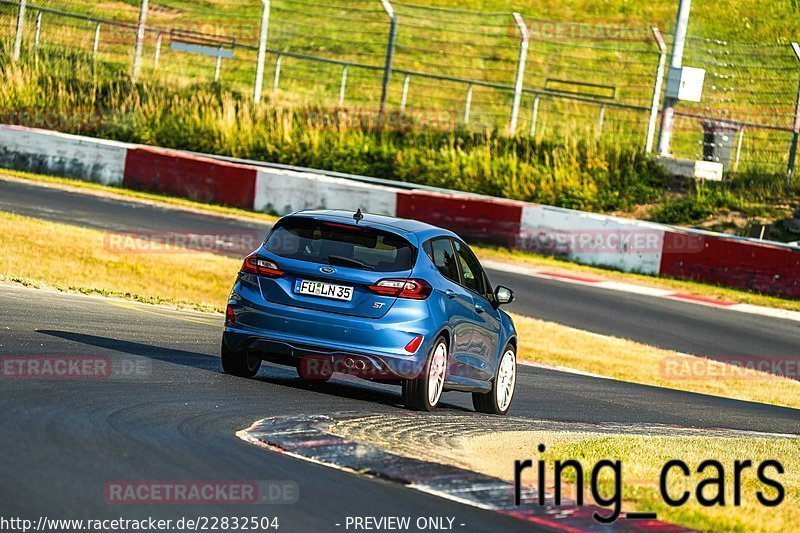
column 588, row 238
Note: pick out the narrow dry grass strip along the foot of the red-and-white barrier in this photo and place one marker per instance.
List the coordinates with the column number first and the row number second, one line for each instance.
column 484, row 251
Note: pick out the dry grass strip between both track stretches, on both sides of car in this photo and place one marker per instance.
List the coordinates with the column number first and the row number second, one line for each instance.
column 200, row 280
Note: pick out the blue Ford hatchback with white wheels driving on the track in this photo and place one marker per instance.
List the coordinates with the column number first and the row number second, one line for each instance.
column 381, row 298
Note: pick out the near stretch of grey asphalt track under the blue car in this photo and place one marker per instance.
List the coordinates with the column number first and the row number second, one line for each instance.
column 62, row 440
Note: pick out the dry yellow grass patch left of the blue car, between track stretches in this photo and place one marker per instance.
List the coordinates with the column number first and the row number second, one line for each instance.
column 65, row 257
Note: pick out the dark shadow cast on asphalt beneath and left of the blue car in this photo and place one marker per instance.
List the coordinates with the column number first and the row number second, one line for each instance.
column 343, row 387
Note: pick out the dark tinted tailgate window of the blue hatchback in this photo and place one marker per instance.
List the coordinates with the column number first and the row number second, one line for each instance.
column 341, row 245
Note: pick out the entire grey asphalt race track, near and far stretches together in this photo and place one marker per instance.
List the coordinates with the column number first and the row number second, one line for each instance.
column 62, row 440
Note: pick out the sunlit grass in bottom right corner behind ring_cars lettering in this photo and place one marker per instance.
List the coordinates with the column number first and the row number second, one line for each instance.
column 642, row 458
